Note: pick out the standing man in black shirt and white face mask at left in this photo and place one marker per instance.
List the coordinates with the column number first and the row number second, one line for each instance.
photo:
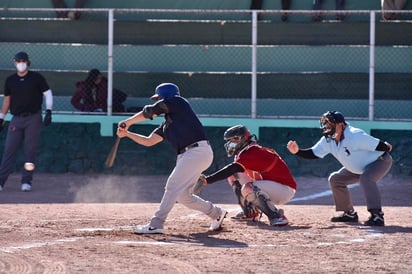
column 23, row 96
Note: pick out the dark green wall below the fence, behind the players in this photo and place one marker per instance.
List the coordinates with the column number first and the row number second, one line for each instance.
column 79, row 148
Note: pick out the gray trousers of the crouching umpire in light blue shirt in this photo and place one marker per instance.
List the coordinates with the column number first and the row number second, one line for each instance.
column 375, row 171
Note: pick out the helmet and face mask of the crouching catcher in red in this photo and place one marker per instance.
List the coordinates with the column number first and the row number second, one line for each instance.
column 237, row 138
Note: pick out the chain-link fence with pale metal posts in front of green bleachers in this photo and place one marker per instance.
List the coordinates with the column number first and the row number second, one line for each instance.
column 227, row 63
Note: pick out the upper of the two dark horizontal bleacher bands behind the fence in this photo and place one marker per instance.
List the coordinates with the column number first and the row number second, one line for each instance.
column 201, row 33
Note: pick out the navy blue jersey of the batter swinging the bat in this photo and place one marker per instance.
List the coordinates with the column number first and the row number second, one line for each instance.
column 181, row 126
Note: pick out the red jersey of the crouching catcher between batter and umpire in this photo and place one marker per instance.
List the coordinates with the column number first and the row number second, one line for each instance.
column 266, row 162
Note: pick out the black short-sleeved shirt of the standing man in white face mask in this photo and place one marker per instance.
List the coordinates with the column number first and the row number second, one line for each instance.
column 26, row 93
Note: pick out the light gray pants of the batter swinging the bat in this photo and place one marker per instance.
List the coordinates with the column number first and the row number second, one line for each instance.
column 179, row 186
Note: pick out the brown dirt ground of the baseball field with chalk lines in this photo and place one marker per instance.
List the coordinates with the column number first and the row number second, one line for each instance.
column 84, row 224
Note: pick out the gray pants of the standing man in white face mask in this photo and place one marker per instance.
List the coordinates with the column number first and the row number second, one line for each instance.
column 24, row 130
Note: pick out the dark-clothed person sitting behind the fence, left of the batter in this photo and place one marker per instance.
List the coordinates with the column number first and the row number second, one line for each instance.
column 91, row 94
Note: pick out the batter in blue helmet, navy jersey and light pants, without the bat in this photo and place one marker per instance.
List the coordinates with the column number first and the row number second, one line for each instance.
column 183, row 130
